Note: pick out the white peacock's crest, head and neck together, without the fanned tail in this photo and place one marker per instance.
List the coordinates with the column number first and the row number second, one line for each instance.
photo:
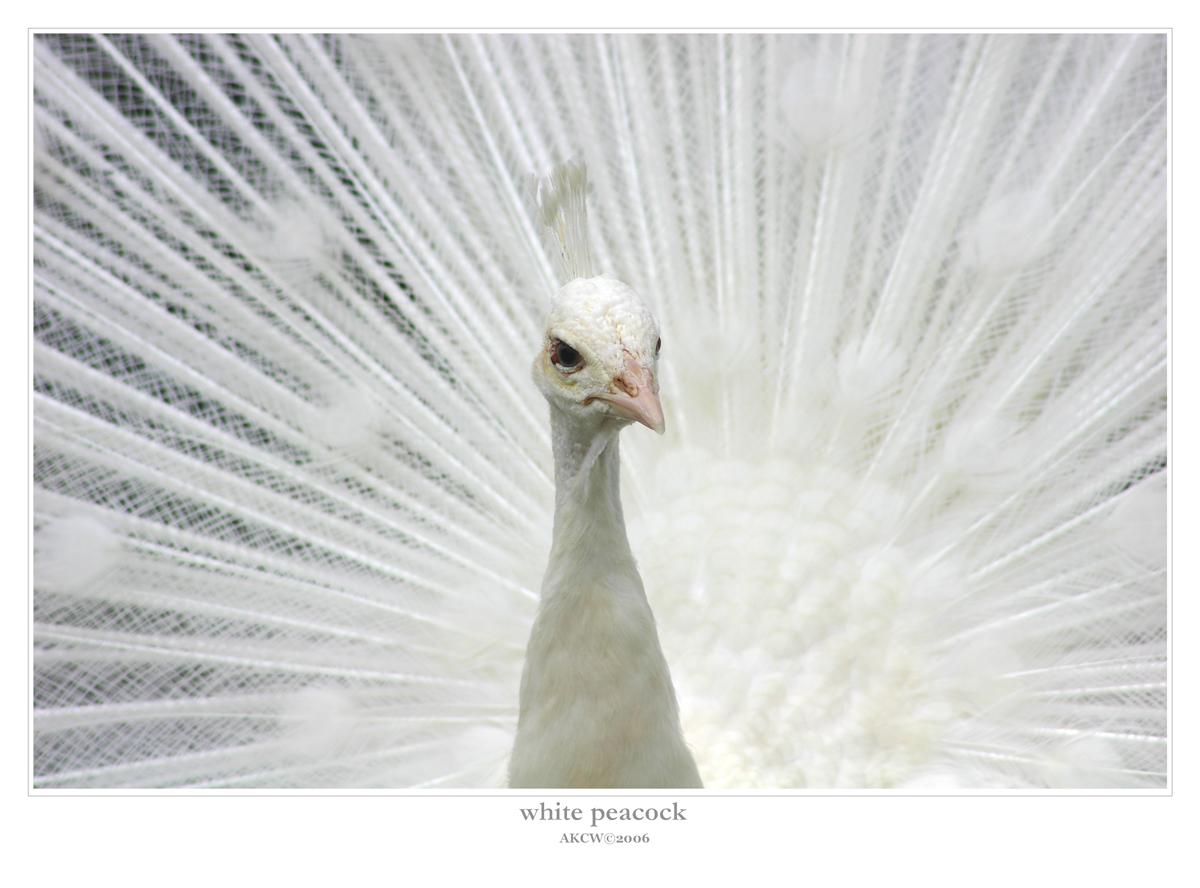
column 598, row 709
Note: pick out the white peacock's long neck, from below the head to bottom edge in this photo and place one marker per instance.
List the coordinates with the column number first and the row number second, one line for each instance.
column 598, row 709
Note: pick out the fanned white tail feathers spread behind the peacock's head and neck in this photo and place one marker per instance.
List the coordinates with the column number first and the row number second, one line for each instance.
column 907, row 526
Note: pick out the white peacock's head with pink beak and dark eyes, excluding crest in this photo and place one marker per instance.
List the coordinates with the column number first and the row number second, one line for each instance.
column 602, row 355
